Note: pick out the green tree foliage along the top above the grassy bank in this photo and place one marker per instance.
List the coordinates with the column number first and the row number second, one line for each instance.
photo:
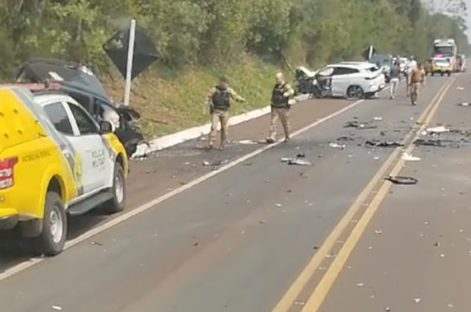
column 220, row 31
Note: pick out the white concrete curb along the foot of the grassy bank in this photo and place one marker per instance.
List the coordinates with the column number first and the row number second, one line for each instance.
column 196, row 132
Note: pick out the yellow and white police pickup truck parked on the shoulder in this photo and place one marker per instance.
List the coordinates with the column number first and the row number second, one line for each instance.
column 54, row 160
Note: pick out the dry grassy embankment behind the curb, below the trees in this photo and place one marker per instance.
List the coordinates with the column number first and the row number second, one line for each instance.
column 174, row 100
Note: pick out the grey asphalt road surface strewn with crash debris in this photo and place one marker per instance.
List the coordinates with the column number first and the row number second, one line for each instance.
column 238, row 240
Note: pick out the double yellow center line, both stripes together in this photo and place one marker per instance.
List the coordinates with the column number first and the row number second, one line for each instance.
column 395, row 162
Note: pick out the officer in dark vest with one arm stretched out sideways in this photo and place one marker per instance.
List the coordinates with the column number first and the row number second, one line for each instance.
column 219, row 101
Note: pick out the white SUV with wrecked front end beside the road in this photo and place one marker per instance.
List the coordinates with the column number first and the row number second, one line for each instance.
column 352, row 79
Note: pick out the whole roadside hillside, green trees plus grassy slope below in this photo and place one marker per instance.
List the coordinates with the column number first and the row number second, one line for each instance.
column 199, row 40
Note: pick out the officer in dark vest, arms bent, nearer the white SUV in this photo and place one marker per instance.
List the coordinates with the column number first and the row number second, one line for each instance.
column 281, row 101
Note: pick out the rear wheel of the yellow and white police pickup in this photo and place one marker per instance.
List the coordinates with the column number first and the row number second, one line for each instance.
column 51, row 241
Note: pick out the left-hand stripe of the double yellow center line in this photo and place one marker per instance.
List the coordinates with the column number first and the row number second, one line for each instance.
column 287, row 301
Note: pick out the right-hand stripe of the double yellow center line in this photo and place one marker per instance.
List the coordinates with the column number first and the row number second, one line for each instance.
column 324, row 286
